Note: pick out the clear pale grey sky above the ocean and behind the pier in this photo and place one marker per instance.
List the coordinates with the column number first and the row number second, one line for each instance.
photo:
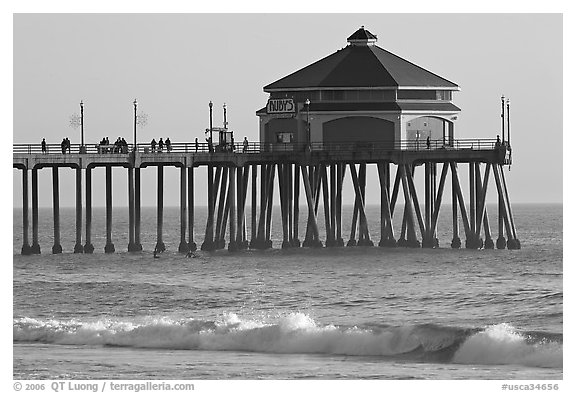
column 174, row 64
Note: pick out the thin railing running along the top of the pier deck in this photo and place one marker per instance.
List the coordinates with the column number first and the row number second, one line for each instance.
column 259, row 147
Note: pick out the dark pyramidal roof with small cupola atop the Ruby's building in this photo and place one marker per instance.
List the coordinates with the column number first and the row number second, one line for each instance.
column 362, row 64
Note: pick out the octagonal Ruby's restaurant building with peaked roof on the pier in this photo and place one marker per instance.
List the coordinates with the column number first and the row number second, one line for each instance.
column 359, row 94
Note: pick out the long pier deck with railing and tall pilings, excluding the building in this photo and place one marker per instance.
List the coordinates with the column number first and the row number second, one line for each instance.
column 320, row 170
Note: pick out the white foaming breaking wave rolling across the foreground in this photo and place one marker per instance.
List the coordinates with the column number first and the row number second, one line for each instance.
column 298, row 333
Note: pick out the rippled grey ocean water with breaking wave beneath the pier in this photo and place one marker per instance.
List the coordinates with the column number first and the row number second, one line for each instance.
column 345, row 313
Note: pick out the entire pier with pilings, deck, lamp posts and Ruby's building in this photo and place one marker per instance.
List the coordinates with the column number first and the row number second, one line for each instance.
column 321, row 128
